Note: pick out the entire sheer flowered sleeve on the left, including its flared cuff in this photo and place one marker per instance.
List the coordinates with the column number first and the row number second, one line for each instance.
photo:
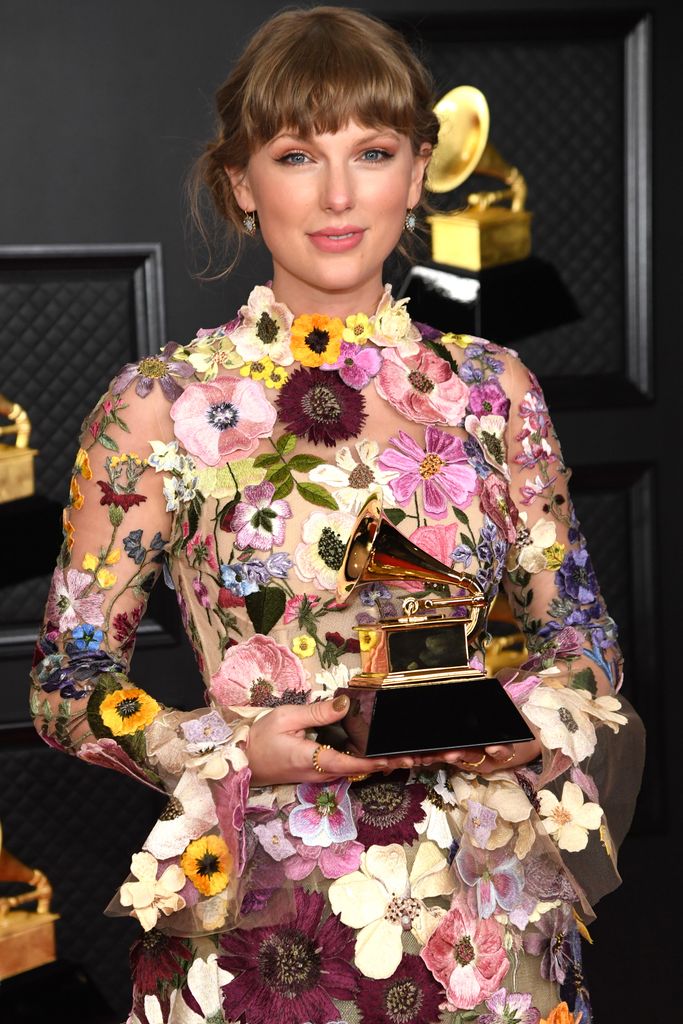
column 118, row 533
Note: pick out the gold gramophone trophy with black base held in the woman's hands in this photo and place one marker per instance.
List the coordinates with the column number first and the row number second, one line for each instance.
column 417, row 691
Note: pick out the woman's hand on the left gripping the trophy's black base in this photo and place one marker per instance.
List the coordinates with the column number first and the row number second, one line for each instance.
column 280, row 752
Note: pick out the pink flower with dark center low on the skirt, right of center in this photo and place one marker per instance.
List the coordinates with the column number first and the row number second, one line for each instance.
column 466, row 955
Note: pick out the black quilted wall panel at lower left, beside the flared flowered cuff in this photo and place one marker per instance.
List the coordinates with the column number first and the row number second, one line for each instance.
column 80, row 825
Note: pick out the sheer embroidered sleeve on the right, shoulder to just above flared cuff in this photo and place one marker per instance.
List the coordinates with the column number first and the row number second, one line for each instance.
column 551, row 584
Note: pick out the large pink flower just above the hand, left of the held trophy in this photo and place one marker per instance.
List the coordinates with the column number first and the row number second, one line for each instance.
column 262, row 673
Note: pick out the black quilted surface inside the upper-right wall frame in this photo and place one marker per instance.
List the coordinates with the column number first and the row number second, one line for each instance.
column 558, row 112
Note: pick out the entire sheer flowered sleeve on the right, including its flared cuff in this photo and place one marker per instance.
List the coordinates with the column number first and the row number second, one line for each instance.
column 593, row 742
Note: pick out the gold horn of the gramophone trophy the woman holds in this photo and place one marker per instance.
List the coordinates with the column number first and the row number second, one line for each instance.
column 377, row 552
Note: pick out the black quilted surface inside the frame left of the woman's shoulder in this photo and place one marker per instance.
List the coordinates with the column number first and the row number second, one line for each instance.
column 68, row 325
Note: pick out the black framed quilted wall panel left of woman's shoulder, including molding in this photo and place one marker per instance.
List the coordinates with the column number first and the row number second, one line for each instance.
column 71, row 316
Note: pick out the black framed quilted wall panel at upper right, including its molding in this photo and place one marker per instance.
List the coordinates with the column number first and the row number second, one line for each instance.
column 601, row 192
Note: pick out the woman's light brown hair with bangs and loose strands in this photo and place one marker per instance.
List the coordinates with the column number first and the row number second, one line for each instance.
column 309, row 71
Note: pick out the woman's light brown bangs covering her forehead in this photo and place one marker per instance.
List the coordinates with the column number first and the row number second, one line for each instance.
column 323, row 84
